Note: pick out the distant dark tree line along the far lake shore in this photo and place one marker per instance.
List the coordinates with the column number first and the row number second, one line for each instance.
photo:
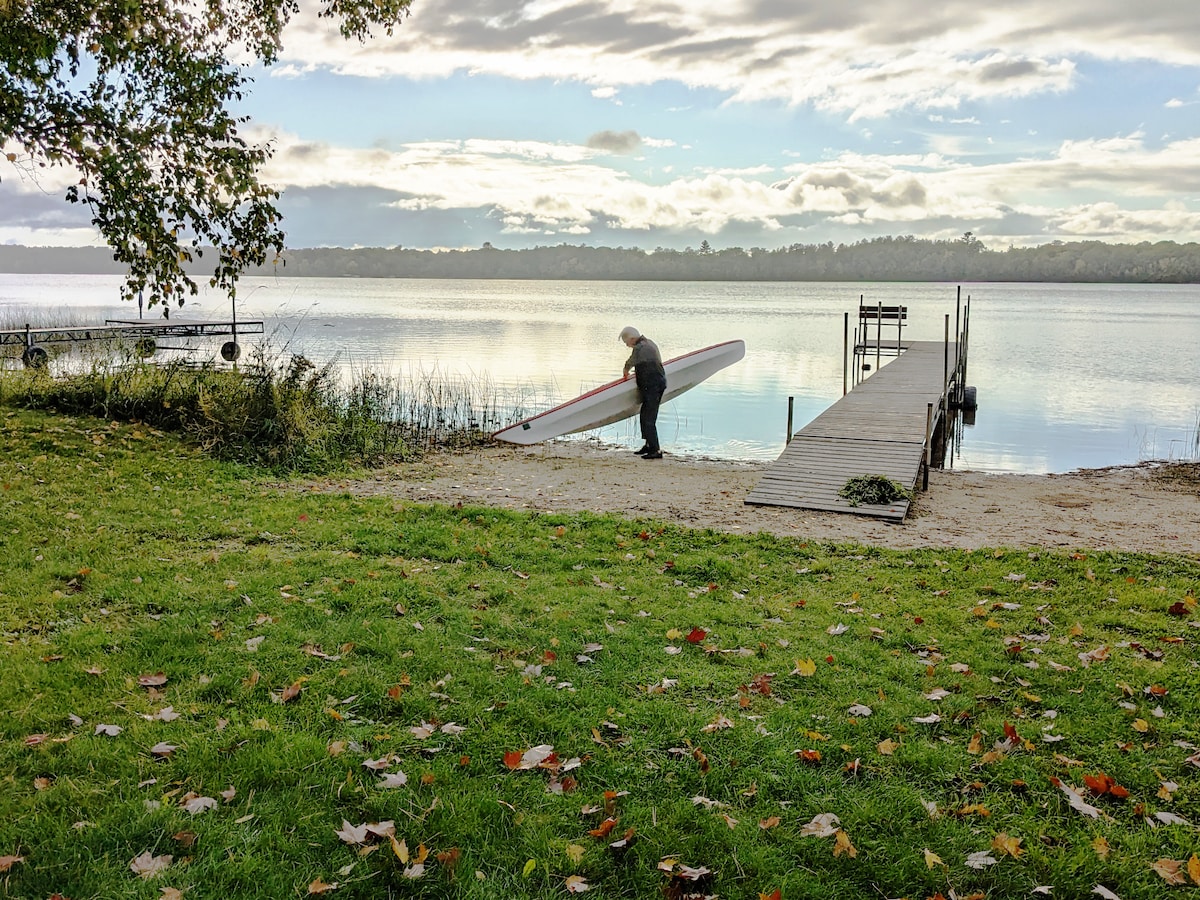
column 903, row 259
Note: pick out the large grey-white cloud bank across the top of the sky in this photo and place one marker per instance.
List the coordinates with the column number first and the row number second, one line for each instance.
column 854, row 61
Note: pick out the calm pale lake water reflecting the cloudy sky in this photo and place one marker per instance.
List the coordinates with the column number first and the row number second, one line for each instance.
column 1067, row 376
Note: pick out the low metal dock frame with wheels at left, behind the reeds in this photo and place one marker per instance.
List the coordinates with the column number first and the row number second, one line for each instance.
column 142, row 334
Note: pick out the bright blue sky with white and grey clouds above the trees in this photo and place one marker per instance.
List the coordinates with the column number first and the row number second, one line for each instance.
column 745, row 123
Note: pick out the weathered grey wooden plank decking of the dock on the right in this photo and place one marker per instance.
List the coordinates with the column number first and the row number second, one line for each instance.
column 878, row 429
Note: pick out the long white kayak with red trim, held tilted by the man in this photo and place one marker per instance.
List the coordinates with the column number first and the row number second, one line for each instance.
column 620, row 399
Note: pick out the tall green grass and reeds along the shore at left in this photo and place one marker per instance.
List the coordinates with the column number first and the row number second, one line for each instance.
column 280, row 411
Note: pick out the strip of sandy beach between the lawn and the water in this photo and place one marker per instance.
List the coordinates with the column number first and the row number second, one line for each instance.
column 1153, row 508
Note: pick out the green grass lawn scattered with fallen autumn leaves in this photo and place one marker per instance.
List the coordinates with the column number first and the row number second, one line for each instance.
column 218, row 686
